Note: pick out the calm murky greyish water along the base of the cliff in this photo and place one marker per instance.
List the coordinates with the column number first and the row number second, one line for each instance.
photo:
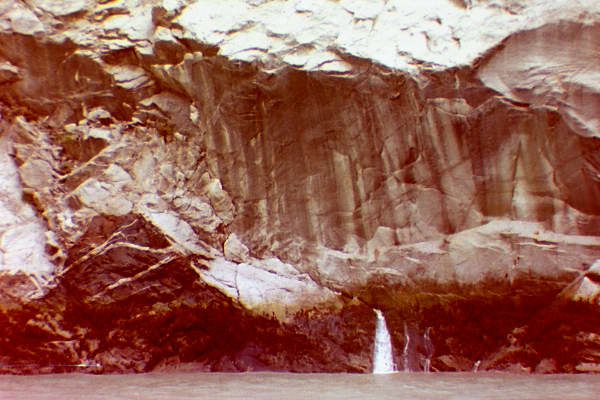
column 193, row 385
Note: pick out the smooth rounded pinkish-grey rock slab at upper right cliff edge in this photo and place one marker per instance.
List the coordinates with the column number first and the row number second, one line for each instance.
column 544, row 69
